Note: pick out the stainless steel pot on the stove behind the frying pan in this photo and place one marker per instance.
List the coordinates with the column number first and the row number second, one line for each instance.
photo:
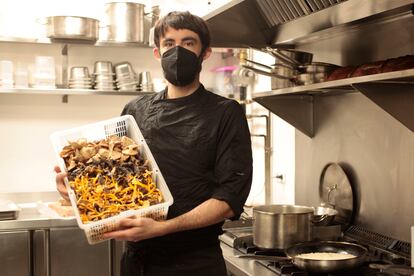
column 281, row 226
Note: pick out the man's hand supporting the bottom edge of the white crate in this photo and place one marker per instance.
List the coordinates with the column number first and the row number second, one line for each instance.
column 137, row 229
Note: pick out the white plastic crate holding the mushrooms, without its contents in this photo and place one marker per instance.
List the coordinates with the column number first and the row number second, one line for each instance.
column 120, row 126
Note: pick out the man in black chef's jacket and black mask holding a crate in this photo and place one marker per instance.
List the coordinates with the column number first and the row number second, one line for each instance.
column 201, row 143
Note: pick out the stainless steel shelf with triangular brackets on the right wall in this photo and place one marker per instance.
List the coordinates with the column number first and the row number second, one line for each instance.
column 392, row 91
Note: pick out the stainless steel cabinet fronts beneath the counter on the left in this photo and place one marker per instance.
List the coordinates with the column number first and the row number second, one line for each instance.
column 57, row 252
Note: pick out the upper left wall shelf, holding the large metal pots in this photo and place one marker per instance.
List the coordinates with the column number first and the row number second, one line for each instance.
column 98, row 43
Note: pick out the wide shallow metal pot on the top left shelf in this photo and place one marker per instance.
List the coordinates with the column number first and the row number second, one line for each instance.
column 72, row 27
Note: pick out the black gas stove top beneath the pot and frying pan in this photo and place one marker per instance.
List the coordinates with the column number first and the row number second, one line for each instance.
column 382, row 250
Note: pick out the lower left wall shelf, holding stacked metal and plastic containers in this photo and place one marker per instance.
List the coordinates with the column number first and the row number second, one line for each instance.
column 65, row 91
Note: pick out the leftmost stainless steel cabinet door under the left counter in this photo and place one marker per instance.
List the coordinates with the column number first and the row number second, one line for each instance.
column 15, row 253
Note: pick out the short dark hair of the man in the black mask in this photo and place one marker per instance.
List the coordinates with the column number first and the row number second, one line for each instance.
column 182, row 20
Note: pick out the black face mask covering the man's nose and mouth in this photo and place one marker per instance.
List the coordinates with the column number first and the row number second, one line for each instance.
column 180, row 66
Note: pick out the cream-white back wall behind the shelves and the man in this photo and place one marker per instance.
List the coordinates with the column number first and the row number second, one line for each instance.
column 26, row 121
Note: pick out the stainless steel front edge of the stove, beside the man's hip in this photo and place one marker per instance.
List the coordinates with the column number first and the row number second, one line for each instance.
column 242, row 267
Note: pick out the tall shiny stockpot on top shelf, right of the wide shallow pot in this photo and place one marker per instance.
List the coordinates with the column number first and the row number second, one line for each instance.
column 125, row 22
